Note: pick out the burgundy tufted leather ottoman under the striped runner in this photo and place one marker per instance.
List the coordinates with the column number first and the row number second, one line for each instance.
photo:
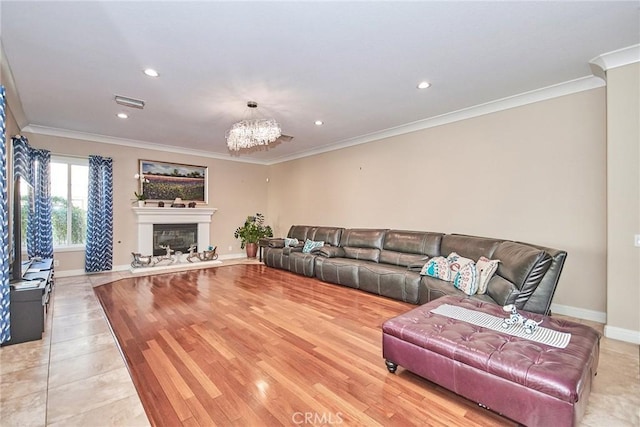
column 531, row 383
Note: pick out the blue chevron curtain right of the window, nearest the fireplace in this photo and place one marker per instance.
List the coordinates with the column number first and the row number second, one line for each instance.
column 99, row 250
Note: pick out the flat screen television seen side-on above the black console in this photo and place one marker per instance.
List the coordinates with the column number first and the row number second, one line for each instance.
column 23, row 204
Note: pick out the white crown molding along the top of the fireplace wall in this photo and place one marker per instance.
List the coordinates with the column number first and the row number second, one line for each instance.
column 103, row 139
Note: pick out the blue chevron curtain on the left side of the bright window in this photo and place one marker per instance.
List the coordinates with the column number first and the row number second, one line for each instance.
column 39, row 227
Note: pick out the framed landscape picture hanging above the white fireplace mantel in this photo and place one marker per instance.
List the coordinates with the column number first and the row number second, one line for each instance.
column 163, row 181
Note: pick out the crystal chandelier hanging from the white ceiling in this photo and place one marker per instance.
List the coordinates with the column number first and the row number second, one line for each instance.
column 252, row 132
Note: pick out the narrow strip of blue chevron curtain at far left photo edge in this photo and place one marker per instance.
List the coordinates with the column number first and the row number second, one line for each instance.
column 5, row 330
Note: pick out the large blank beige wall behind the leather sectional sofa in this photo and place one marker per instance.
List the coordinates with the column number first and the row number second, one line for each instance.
column 534, row 173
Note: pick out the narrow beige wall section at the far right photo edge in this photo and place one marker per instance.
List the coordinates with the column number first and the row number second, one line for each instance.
column 623, row 135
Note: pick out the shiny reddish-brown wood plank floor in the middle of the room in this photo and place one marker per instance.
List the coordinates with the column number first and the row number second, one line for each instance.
column 249, row 345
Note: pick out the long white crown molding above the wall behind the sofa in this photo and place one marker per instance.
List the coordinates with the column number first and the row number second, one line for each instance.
column 542, row 94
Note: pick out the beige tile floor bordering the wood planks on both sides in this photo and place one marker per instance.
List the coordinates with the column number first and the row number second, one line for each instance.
column 76, row 376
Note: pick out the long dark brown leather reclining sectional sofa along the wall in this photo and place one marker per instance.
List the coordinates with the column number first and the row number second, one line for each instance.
column 388, row 263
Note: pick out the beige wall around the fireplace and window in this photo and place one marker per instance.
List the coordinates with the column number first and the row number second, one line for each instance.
column 236, row 189
